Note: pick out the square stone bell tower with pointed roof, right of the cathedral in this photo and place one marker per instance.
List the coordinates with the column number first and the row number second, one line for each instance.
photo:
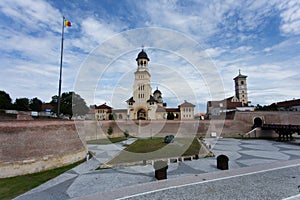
column 241, row 88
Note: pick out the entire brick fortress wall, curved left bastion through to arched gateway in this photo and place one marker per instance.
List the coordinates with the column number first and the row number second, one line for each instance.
column 33, row 146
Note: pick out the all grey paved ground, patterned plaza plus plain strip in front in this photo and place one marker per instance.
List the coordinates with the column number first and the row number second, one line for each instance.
column 255, row 165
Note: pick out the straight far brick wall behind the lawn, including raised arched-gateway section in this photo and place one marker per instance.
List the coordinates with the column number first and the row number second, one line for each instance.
column 241, row 124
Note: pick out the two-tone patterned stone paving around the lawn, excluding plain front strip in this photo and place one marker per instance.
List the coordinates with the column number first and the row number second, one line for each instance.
column 84, row 180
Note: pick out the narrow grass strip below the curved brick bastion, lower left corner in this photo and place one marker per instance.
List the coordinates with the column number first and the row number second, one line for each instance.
column 12, row 187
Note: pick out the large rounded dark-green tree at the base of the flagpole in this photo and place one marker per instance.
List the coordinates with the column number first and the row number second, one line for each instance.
column 70, row 104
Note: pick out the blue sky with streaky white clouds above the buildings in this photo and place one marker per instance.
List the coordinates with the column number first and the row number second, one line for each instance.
column 262, row 38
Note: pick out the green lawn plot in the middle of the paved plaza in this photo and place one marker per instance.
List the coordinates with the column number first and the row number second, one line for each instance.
column 149, row 149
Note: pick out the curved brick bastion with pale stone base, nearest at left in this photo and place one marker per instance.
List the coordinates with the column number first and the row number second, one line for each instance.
column 34, row 146
